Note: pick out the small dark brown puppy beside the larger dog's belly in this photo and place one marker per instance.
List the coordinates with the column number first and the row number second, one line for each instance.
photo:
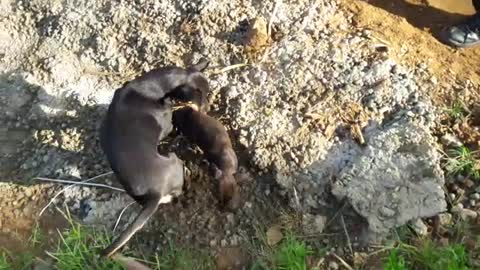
column 212, row 137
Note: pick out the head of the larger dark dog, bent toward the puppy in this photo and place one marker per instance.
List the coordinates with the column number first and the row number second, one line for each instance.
column 196, row 89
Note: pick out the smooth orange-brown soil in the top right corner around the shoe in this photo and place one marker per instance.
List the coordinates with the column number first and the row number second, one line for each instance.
column 411, row 28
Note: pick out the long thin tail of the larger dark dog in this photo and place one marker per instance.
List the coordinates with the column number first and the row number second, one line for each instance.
column 147, row 211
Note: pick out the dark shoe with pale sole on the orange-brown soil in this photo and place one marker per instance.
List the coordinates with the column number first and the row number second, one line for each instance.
column 466, row 34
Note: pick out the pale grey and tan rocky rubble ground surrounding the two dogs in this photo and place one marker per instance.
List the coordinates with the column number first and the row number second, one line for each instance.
column 328, row 124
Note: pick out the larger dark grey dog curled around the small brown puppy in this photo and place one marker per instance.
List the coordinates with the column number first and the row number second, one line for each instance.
column 138, row 117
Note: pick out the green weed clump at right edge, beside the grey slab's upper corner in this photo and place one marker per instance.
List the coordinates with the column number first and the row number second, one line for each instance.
column 463, row 161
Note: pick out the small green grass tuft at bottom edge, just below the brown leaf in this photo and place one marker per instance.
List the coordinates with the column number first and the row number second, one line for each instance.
column 292, row 254
